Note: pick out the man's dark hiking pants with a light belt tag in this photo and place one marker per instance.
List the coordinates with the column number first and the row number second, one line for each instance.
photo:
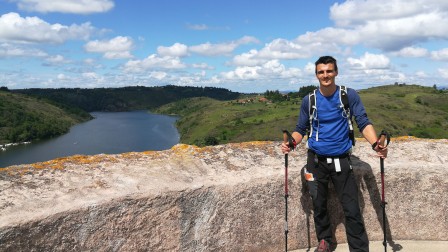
column 319, row 172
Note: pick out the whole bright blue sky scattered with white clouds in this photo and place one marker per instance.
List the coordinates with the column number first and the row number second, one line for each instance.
column 241, row 45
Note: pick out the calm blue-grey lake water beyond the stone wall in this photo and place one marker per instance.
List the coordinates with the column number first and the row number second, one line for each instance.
column 109, row 133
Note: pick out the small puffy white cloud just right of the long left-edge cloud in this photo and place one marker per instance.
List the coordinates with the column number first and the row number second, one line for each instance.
column 116, row 48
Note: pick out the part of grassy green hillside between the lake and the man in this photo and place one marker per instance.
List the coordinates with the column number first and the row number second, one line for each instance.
column 207, row 121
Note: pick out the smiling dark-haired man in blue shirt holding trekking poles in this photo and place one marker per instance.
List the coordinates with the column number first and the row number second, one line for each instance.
column 329, row 147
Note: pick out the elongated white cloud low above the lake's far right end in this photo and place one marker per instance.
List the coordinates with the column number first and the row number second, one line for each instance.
column 153, row 62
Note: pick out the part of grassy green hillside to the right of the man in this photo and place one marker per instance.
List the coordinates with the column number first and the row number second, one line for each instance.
column 408, row 110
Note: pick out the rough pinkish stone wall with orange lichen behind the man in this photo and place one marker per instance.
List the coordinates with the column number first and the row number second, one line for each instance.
column 221, row 198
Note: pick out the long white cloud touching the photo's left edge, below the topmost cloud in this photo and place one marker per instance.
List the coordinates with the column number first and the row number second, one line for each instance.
column 14, row 28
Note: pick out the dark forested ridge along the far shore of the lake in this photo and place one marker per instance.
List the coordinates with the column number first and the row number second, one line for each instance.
column 125, row 98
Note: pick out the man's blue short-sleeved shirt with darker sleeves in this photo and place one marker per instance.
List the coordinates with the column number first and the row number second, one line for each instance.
column 330, row 134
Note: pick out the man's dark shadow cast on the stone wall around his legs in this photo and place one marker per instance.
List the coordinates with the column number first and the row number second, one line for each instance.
column 366, row 181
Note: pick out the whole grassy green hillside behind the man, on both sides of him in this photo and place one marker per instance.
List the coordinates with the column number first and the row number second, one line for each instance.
column 400, row 109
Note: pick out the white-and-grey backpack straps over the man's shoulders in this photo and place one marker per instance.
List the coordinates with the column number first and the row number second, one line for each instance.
column 343, row 98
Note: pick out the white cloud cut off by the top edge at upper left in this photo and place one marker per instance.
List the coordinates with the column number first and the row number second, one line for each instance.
column 66, row 6
